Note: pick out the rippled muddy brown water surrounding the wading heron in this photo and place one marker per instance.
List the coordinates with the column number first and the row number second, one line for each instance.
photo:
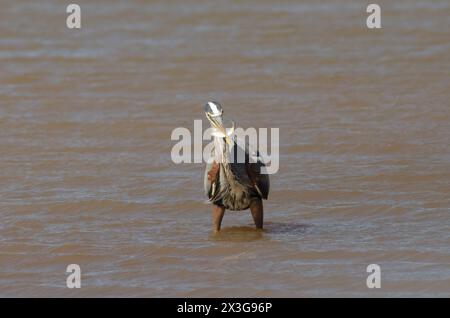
column 86, row 175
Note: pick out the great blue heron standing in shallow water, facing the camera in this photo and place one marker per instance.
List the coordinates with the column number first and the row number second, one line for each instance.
column 229, row 183
